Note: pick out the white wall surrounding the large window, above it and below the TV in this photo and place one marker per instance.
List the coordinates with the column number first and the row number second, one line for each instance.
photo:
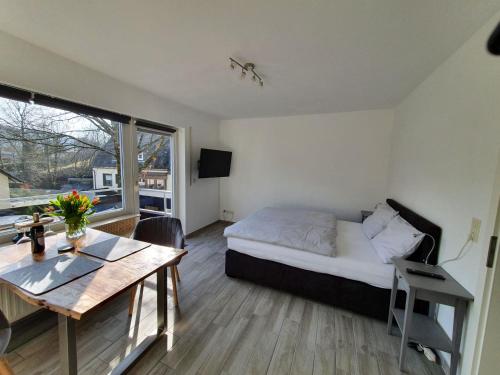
column 27, row 66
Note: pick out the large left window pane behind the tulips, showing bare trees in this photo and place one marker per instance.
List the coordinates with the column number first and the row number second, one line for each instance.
column 46, row 151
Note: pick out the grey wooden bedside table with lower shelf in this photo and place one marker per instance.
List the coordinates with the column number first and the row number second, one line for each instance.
column 423, row 329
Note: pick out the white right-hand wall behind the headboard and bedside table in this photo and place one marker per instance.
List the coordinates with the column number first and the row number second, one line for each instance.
column 445, row 148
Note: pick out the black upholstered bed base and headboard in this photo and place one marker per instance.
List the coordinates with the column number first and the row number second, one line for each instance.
column 345, row 293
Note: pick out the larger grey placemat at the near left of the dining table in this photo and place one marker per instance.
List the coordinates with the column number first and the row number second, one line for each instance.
column 46, row 275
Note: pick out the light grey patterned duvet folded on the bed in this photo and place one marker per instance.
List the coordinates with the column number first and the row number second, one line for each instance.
column 305, row 230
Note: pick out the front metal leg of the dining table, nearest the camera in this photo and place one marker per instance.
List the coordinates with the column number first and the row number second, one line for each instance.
column 67, row 345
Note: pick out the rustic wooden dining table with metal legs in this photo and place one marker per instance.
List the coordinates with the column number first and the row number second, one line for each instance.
column 73, row 301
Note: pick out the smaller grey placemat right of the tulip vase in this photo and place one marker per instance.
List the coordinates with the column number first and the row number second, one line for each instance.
column 114, row 248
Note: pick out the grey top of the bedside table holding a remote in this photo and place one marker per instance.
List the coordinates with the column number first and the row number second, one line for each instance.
column 448, row 286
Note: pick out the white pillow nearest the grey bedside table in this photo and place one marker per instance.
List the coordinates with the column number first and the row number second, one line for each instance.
column 398, row 239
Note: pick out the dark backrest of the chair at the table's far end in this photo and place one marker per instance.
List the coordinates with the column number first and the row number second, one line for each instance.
column 162, row 230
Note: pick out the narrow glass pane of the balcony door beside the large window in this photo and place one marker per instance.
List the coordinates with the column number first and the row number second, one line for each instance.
column 155, row 173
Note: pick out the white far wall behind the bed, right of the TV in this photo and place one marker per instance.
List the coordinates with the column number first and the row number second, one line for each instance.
column 335, row 162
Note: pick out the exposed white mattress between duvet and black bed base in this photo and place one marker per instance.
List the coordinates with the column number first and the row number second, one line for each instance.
column 356, row 259
